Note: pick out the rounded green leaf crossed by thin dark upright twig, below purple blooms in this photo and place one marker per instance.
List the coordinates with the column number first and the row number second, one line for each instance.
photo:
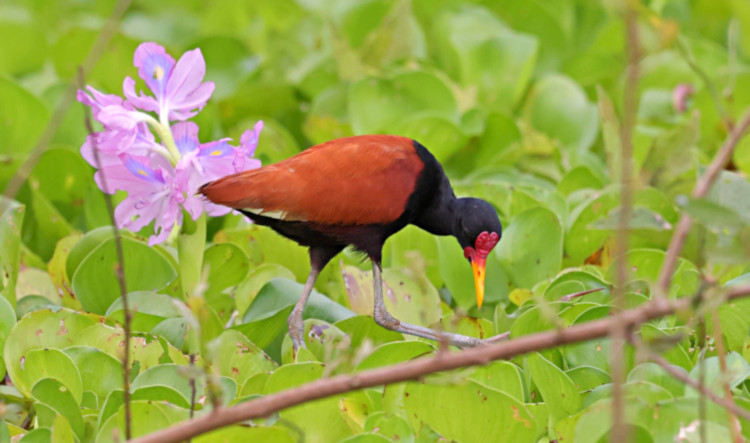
column 95, row 283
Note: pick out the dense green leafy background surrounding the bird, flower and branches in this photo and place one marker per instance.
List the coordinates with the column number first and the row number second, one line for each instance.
column 521, row 100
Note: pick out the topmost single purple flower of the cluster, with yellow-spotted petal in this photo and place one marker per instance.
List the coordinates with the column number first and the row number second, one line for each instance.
column 178, row 88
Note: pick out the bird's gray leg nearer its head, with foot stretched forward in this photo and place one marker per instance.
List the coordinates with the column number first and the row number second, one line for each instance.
column 384, row 319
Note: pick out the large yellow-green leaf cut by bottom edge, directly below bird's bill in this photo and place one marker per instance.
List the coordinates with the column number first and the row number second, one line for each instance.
column 459, row 412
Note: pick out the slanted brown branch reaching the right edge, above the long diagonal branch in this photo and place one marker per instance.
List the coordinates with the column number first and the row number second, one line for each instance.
column 702, row 186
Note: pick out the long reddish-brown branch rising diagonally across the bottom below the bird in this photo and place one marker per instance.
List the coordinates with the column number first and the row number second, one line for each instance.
column 416, row 369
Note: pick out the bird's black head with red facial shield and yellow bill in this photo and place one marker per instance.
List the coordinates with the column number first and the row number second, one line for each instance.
column 478, row 231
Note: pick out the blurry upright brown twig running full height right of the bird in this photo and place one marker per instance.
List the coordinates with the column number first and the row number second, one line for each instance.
column 618, row 331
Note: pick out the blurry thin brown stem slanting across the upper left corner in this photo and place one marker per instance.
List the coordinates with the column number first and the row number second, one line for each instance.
column 100, row 45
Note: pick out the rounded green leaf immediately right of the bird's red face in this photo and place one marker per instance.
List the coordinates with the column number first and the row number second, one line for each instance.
column 531, row 248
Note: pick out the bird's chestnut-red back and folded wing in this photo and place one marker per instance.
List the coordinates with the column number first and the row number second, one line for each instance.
column 361, row 180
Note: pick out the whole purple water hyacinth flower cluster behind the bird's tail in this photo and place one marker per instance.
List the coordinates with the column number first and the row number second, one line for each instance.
column 159, row 160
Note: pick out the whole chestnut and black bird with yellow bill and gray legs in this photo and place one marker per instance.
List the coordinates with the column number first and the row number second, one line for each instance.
column 359, row 191
